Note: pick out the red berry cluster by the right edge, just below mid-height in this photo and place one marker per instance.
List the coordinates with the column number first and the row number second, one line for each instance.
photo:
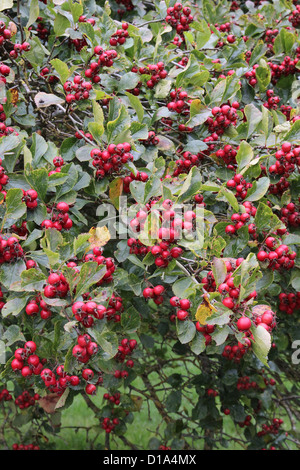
column 277, row 256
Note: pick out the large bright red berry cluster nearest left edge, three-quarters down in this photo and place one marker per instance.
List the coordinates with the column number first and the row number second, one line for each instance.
column 26, row 361
